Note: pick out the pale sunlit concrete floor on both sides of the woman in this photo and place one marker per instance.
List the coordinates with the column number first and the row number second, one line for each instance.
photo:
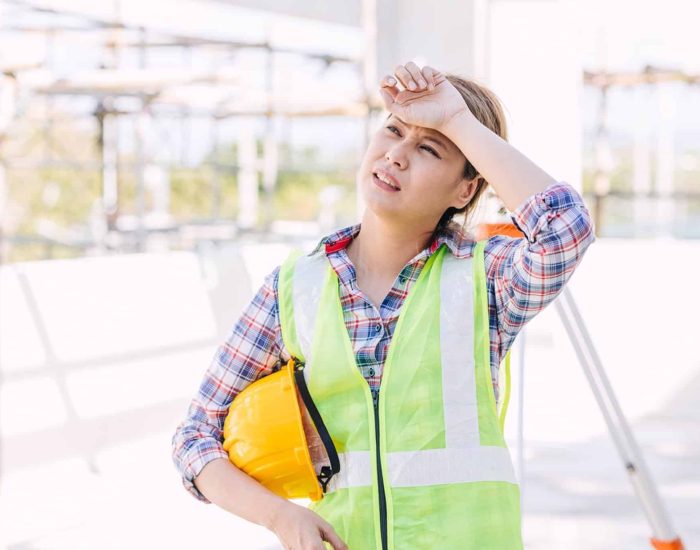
column 85, row 442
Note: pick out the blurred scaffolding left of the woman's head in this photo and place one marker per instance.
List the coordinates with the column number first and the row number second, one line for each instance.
column 127, row 85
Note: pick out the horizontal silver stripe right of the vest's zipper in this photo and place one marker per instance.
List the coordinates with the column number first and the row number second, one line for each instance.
column 445, row 466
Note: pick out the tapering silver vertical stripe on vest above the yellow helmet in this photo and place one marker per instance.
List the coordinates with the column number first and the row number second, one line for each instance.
column 309, row 275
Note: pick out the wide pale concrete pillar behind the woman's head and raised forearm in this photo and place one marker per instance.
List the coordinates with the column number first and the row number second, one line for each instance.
column 525, row 50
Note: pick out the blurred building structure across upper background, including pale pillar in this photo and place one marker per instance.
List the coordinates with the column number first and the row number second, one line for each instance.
column 150, row 95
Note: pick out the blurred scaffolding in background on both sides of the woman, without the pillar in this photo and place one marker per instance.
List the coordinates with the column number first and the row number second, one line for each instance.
column 128, row 94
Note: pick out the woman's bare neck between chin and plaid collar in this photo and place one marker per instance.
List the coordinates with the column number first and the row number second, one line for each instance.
column 386, row 247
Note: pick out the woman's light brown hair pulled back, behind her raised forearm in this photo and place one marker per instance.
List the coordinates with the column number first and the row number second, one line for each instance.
column 487, row 108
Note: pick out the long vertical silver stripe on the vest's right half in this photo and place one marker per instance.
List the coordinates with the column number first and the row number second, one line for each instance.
column 457, row 353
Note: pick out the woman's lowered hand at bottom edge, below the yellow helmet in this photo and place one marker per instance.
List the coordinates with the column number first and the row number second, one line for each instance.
column 301, row 529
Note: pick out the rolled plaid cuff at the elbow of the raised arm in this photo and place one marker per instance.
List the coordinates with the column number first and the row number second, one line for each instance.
column 532, row 217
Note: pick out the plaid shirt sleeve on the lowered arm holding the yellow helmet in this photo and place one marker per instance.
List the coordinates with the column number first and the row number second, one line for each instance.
column 249, row 352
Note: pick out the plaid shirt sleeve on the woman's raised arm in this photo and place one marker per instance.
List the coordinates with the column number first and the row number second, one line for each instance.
column 527, row 274
